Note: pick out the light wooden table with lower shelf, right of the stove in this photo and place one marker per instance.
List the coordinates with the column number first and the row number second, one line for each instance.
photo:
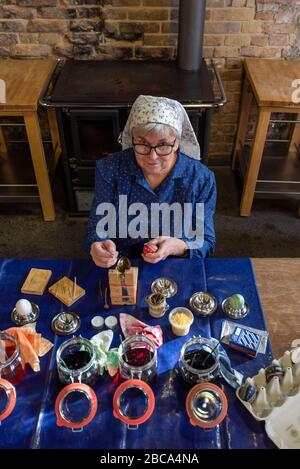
column 271, row 84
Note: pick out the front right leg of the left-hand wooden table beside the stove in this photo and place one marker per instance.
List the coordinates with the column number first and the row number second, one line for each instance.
column 39, row 164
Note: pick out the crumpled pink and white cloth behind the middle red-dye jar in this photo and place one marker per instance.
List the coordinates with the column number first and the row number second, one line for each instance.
column 132, row 326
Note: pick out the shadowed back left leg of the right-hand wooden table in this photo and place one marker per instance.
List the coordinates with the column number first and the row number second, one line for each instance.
column 245, row 108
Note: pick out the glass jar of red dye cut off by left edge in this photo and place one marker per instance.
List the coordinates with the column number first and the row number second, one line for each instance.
column 10, row 359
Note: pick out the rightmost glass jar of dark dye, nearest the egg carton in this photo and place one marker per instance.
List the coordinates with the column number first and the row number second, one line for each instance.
column 199, row 360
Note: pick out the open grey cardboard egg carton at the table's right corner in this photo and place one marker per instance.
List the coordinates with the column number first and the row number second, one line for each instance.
column 277, row 402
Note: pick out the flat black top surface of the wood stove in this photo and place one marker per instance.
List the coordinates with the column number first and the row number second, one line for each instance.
column 97, row 82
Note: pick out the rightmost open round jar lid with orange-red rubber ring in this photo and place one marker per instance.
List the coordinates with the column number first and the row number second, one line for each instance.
column 206, row 405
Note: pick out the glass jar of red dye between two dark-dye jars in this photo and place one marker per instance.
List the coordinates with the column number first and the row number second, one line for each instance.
column 138, row 358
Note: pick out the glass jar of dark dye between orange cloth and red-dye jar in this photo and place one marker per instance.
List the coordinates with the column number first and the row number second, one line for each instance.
column 76, row 361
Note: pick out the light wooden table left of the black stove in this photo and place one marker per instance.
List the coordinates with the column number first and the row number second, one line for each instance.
column 25, row 80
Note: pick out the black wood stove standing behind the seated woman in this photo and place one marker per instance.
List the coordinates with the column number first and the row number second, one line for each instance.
column 93, row 98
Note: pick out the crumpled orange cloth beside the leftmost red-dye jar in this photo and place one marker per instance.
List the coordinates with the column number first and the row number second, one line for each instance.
column 32, row 344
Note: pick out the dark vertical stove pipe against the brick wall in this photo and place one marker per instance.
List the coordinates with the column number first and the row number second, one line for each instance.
column 190, row 35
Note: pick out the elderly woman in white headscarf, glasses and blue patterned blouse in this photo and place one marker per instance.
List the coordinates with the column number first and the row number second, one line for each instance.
column 141, row 192
